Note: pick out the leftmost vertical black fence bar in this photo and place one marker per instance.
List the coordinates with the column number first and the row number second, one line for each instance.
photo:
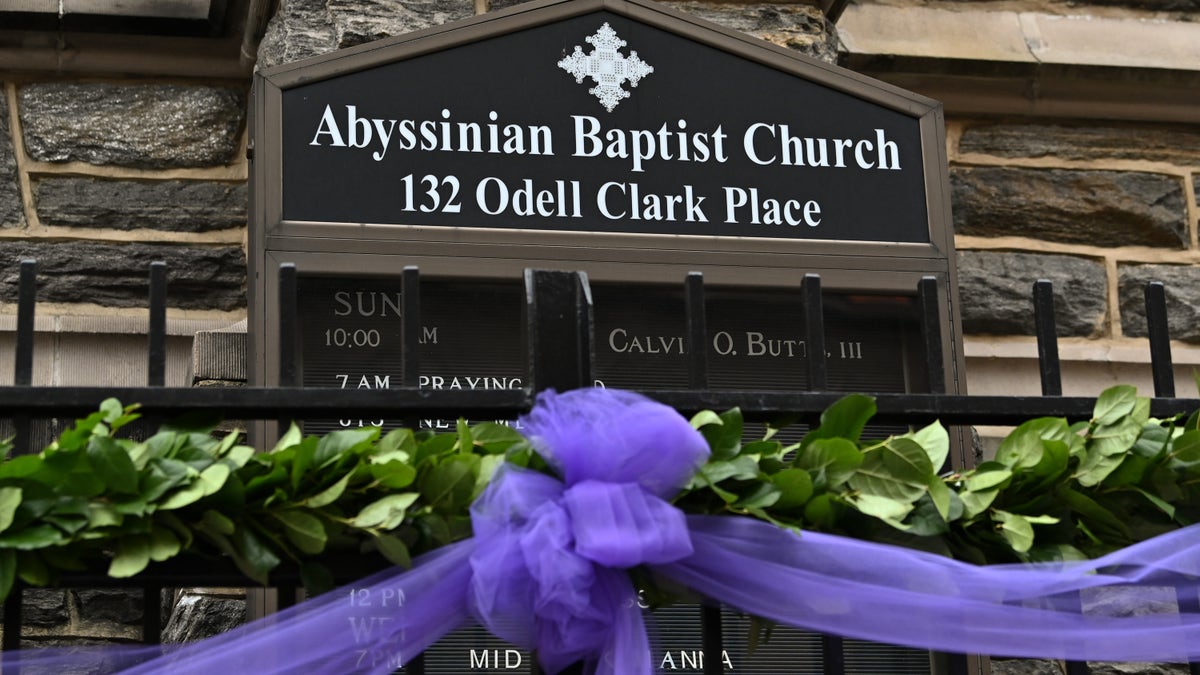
column 22, row 377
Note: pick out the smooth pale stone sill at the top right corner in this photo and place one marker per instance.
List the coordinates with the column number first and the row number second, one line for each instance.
column 981, row 62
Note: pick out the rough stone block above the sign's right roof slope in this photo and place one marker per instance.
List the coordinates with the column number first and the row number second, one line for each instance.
column 800, row 27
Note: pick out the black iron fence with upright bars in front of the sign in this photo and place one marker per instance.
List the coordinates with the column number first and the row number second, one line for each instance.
column 560, row 353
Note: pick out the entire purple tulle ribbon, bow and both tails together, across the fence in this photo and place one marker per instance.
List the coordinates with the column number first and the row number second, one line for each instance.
column 547, row 570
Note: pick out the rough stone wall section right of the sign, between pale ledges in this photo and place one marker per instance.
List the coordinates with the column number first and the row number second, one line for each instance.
column 1099, row 208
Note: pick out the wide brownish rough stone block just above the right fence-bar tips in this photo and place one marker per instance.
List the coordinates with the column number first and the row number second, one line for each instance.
column 1100, row 208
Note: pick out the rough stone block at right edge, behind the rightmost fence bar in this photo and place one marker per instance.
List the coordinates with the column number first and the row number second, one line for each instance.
column 1181, row 285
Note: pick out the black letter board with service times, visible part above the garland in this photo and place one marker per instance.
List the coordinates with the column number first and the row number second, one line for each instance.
column 471, row 339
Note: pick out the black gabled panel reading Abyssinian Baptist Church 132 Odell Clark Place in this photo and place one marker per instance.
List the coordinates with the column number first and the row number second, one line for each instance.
column 513, row 133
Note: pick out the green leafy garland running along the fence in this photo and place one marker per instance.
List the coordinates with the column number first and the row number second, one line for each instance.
column 1054, row 491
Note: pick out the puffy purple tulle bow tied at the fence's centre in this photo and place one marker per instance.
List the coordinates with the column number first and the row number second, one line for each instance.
column 550, row 557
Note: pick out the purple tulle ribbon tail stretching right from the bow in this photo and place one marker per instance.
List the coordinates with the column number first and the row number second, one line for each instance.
column 892, row 595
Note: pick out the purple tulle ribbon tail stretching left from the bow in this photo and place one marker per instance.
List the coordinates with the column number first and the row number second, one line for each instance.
column 373, row 626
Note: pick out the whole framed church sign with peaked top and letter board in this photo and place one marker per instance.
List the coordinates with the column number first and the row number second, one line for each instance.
column 629, row 142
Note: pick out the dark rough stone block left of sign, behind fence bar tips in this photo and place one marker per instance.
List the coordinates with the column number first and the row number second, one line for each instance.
column 118, row 274
